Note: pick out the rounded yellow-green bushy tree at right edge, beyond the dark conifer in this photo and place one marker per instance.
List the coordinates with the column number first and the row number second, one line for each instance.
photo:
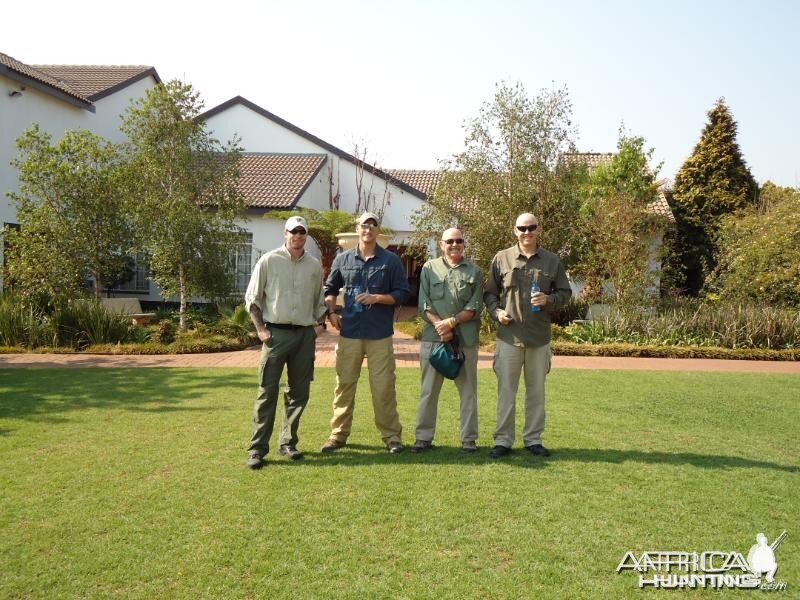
column 759, row 250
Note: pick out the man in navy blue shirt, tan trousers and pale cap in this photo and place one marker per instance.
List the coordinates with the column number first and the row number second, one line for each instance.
column 374, row 283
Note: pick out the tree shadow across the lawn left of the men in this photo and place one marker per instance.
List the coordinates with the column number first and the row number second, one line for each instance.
column 48, row 395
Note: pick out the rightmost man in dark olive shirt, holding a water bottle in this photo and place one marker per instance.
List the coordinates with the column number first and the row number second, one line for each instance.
column 523, row 338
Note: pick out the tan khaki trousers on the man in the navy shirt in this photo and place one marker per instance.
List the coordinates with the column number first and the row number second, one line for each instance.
column 350, row 354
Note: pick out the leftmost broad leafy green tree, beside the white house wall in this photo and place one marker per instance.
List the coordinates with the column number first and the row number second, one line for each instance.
column 74, row 218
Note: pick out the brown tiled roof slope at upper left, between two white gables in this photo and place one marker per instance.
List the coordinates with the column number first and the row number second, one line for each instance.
column 93, row 80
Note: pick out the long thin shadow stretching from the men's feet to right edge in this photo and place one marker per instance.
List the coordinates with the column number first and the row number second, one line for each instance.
column 355, row 455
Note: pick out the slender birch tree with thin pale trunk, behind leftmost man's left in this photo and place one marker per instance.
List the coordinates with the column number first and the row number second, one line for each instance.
column 187, row 199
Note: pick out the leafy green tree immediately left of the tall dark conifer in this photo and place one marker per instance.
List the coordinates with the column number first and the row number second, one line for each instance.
column 618, row 227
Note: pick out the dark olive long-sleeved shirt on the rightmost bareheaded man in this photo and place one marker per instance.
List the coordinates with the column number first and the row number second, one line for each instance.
column 509, row 288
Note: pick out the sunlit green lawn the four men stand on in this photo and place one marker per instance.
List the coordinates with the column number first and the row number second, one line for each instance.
column 131, row 484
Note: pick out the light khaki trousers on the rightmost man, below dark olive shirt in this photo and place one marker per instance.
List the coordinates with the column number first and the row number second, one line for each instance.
column 509, row 362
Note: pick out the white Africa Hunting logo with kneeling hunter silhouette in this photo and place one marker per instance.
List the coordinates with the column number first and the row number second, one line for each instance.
column 711, row 569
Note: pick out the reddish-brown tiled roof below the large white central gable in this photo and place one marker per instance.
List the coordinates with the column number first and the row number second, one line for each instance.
column 277, row 180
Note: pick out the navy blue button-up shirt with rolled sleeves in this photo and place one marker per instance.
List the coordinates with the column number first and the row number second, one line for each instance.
column 381, row 274
